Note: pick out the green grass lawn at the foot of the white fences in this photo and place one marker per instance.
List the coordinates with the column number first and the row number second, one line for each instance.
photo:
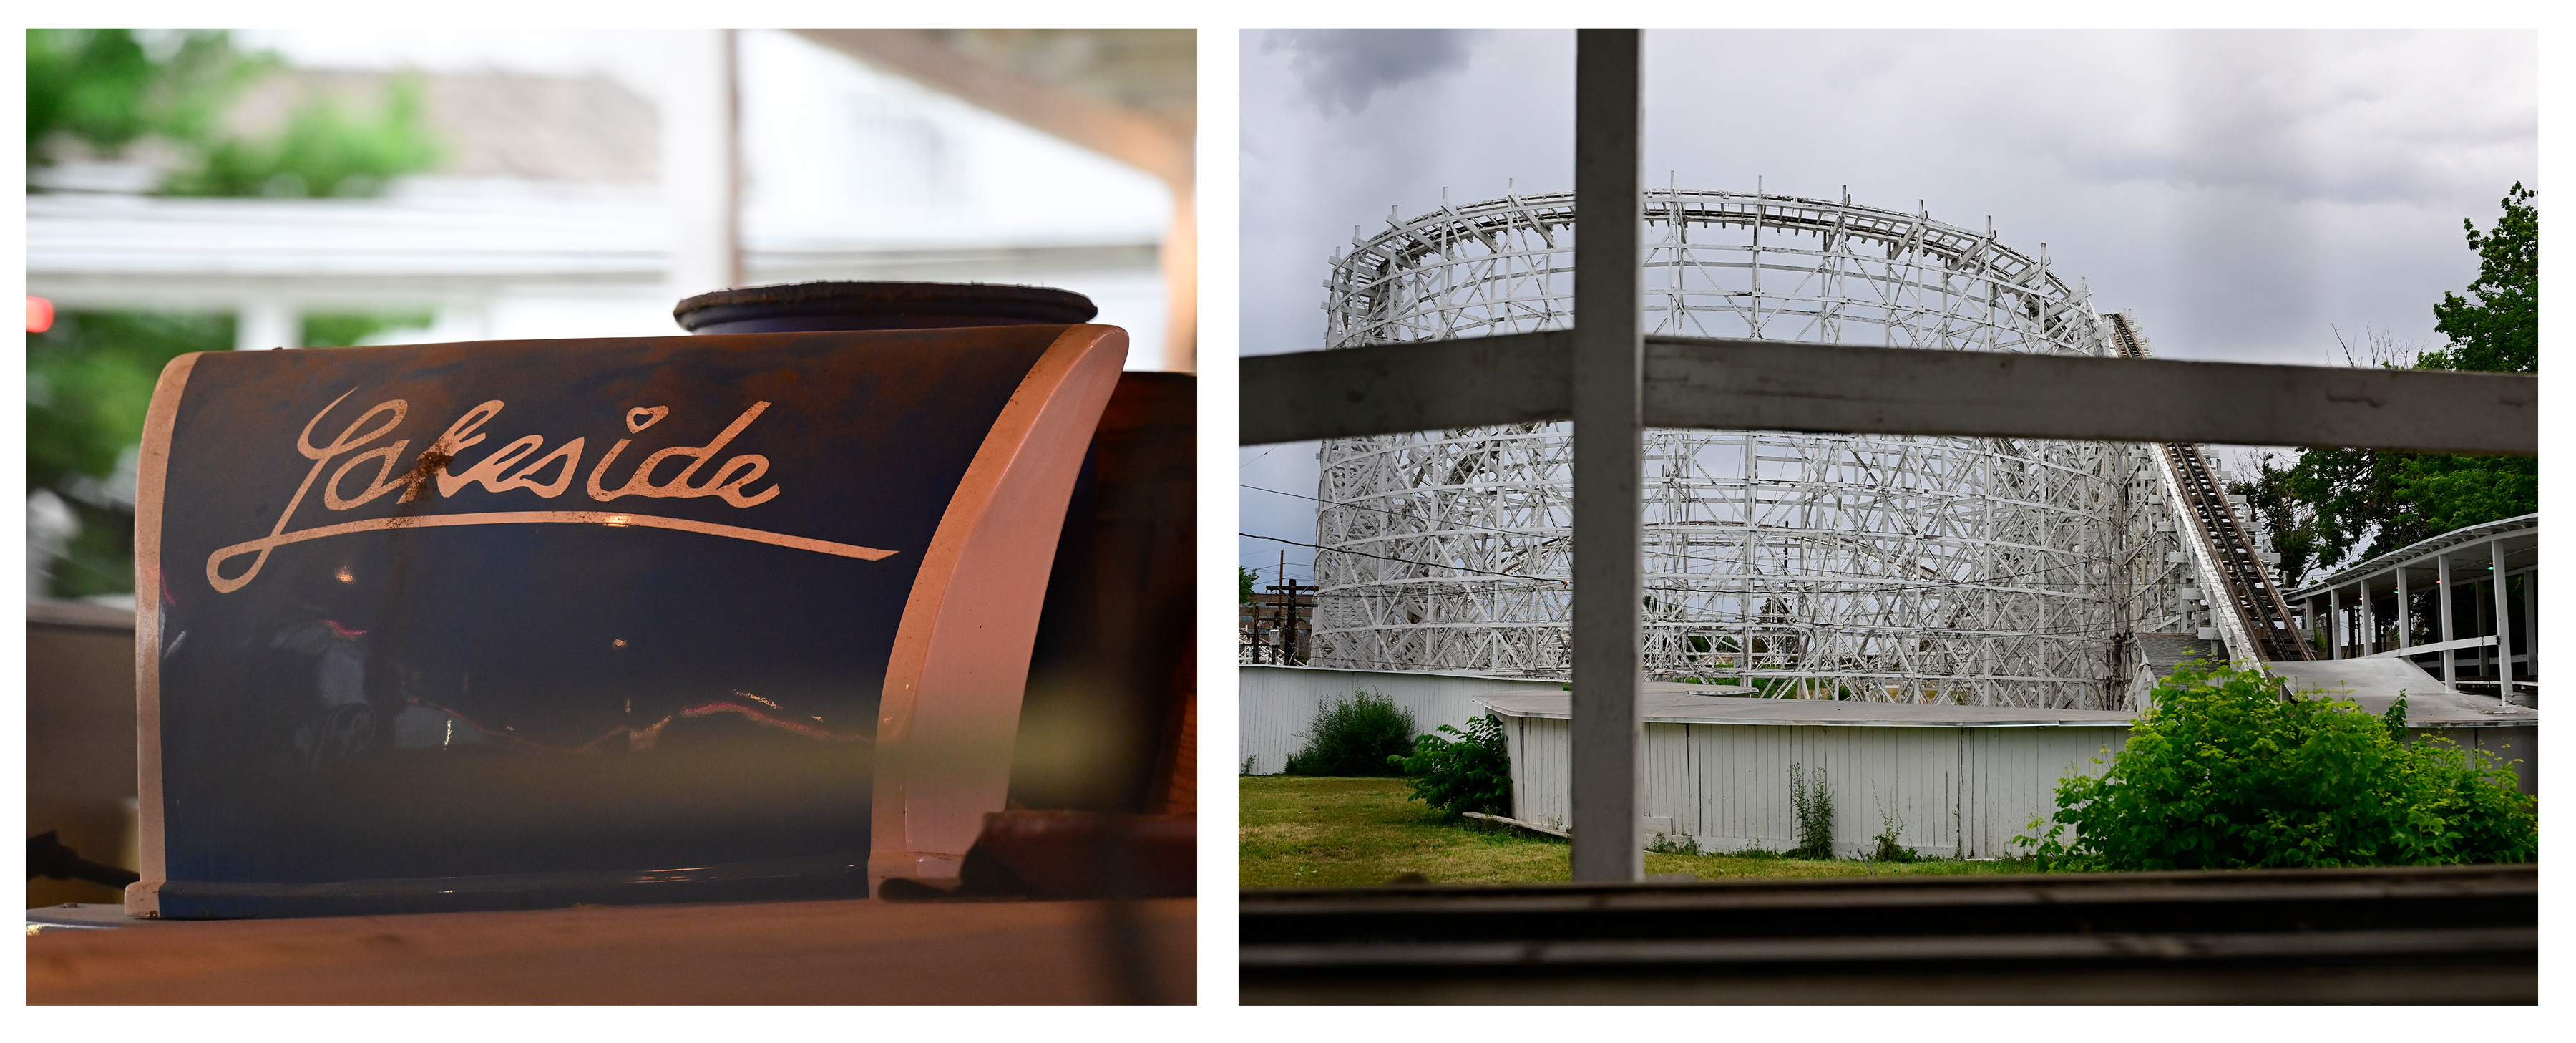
column 1367, row 831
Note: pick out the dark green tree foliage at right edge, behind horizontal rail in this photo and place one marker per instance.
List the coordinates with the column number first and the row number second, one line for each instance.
column 2333, row 501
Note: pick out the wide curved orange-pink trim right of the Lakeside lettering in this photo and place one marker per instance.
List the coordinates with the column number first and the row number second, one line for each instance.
column 960, row 666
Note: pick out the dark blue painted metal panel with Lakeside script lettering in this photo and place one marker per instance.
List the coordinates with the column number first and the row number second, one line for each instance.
column 529, row 673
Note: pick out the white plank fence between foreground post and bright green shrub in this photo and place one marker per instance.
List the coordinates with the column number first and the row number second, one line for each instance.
column 1954, row 792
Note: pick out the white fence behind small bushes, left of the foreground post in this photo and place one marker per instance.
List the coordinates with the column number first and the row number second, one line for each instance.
column 1279, row 704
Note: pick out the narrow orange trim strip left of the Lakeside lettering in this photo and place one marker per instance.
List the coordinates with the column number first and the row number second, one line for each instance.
column 151, row 480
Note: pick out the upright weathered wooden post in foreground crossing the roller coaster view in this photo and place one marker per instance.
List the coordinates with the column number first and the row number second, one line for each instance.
column 1609, row 457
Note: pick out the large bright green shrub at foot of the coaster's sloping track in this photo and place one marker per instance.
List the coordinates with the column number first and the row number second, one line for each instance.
column 2227, row 771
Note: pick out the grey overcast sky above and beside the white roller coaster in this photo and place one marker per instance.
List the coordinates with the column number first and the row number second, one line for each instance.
column 2245, row 192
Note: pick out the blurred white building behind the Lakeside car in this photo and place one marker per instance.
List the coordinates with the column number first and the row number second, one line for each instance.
column 553, row 215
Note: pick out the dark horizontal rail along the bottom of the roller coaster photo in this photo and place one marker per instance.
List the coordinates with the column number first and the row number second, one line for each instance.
column 2454, row 934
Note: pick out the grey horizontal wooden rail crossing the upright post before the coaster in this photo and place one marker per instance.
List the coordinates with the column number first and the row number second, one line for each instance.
column 1768, row 385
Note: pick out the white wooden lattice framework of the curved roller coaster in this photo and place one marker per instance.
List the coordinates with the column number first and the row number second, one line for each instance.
column 1889, row 568
